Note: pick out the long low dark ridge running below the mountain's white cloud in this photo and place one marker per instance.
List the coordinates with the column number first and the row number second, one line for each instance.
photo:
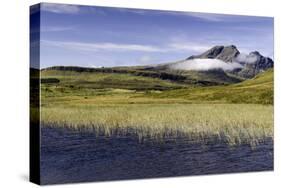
column 199, row 78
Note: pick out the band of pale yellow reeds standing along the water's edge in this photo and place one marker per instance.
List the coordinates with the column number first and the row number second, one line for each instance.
column 230, row 123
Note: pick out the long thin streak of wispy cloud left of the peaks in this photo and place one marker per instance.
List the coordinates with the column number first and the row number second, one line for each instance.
column 82, row 46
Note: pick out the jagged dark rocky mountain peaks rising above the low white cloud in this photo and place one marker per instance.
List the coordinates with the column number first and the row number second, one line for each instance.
column 252, row 64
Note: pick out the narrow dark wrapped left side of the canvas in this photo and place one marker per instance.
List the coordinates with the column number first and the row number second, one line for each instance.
column 34, row 95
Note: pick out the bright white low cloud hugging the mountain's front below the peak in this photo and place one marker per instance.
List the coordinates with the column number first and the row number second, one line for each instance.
column 204, row 65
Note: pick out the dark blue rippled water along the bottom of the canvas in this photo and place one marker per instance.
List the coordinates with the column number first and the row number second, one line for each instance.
column 69, row 156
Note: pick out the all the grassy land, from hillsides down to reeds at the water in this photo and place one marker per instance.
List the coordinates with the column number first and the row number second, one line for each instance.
column 154, row 107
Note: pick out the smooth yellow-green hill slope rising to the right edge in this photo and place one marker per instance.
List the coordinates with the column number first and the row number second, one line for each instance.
column 258, row 90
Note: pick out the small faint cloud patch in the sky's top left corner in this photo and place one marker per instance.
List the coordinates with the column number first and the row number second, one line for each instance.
column 60, row 8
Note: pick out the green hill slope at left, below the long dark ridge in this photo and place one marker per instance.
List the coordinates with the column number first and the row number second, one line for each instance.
column 75, row 81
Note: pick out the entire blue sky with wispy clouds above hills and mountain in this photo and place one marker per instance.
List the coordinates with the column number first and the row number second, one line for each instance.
column 92, row 36
